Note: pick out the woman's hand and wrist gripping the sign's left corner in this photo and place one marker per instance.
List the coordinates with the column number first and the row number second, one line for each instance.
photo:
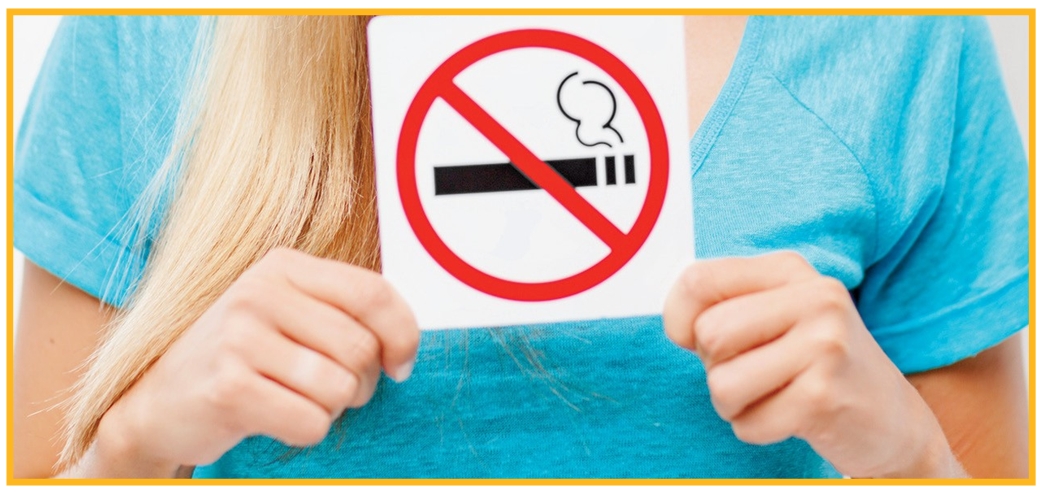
column 294, row 342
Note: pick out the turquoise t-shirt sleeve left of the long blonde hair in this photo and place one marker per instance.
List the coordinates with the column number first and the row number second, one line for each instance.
column 68, row 159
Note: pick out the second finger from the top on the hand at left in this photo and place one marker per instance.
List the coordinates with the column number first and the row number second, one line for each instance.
column 326, row 330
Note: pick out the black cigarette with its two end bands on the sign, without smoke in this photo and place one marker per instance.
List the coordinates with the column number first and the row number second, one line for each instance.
column 505, row 177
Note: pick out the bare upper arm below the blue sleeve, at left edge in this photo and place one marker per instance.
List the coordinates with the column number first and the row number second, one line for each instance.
column 57, row 331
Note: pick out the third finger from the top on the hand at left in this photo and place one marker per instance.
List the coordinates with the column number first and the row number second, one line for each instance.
column 304, row 371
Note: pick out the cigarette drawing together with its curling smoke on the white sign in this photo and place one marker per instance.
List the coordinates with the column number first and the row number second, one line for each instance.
column 591, row 106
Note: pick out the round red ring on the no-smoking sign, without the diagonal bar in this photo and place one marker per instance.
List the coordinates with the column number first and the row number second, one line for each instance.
column 620, row 254
